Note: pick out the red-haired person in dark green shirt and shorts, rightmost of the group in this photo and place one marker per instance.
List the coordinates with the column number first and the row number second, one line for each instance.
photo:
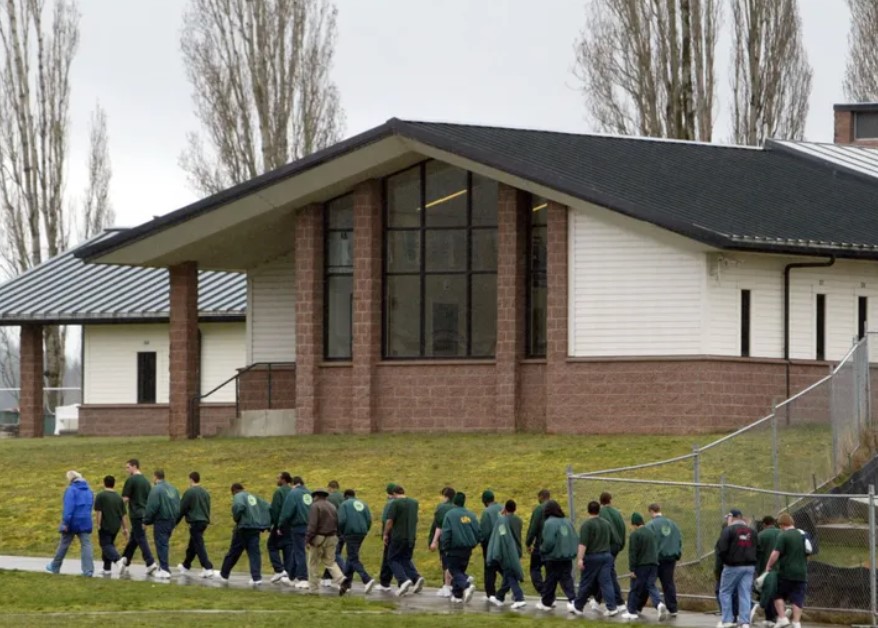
column 790, row 554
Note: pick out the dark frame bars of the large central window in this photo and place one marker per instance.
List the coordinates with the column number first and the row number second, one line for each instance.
column 422, row 273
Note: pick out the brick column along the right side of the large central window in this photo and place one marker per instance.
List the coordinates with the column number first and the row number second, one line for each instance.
column 511, row 233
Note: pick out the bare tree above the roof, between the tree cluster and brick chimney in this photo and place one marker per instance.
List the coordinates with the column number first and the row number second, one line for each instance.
column 771, row 80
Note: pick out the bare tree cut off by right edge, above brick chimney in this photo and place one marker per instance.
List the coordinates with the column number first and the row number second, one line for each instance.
column 861, row 74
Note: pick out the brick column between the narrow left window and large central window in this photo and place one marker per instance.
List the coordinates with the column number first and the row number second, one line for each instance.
column 367, row 305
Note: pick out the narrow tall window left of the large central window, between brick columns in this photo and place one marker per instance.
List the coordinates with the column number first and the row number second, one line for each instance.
column 338, row 240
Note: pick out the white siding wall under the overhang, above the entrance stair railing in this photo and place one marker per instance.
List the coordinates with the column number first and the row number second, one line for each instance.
column 271, row 312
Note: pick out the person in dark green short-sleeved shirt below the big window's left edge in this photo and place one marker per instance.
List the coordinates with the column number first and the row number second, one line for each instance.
column 400, row 533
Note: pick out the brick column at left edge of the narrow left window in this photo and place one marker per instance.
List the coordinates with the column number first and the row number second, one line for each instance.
column 309, row 315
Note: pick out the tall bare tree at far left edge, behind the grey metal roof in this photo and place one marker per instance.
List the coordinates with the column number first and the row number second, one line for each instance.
column 35, row 60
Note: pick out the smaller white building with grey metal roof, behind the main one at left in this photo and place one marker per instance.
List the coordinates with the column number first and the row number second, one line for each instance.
column 124, row 312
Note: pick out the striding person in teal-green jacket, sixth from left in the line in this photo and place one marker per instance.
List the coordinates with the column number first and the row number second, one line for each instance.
column 252, row 516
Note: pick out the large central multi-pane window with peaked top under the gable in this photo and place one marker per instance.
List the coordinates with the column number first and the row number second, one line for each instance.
column 440, row 285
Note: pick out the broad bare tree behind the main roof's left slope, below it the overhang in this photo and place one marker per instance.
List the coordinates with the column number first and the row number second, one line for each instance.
column 262, row 86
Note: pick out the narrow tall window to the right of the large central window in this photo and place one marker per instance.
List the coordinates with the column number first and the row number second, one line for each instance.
column 536, row 277
